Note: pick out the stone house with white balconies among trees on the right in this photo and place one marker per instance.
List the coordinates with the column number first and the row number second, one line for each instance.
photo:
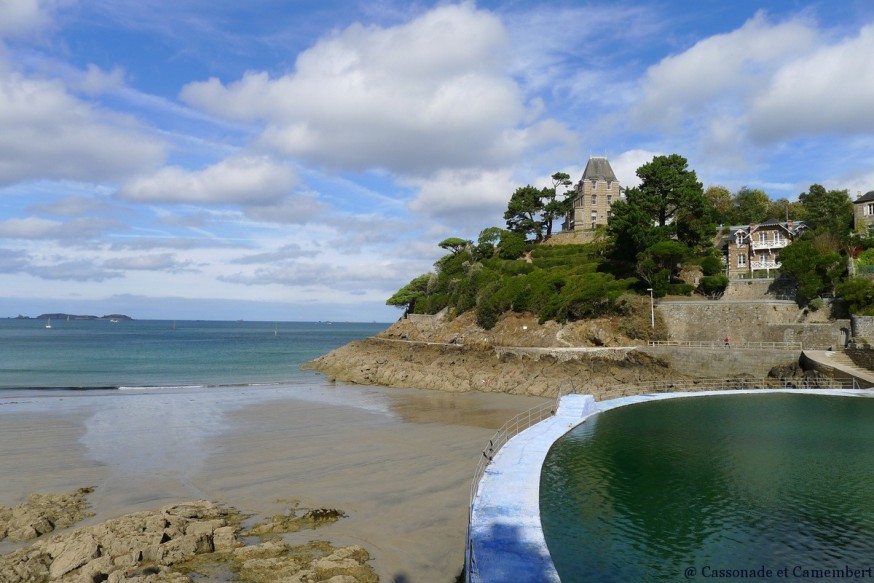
column 753, row 249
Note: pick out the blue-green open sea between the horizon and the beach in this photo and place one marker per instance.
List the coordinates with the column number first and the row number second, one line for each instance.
column 87, row 354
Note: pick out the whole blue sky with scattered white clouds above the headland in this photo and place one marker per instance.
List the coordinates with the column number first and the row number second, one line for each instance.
column 301, row 159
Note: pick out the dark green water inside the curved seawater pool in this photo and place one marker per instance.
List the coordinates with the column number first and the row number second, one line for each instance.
column 770, row 487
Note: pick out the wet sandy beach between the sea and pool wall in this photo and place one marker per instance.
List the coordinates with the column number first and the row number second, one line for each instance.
column 397, row 461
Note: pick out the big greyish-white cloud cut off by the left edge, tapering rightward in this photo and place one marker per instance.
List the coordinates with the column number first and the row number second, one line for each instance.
column 49, row 134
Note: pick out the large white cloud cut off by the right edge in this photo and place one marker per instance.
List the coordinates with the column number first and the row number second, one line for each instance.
column 830, row 90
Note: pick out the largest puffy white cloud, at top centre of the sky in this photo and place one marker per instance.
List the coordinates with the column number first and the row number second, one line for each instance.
column 413, row 98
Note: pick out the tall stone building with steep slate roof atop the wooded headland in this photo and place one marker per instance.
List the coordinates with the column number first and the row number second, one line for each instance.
column 596, row 192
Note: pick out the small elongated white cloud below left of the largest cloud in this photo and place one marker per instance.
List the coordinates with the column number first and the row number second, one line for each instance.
column 246, row 180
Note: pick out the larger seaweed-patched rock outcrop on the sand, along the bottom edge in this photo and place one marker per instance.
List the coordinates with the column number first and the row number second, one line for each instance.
column 163, row 546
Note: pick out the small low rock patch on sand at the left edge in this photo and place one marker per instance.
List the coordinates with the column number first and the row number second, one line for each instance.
column 43, row 513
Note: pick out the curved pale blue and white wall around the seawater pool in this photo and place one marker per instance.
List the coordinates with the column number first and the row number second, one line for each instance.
column 506, row 538
